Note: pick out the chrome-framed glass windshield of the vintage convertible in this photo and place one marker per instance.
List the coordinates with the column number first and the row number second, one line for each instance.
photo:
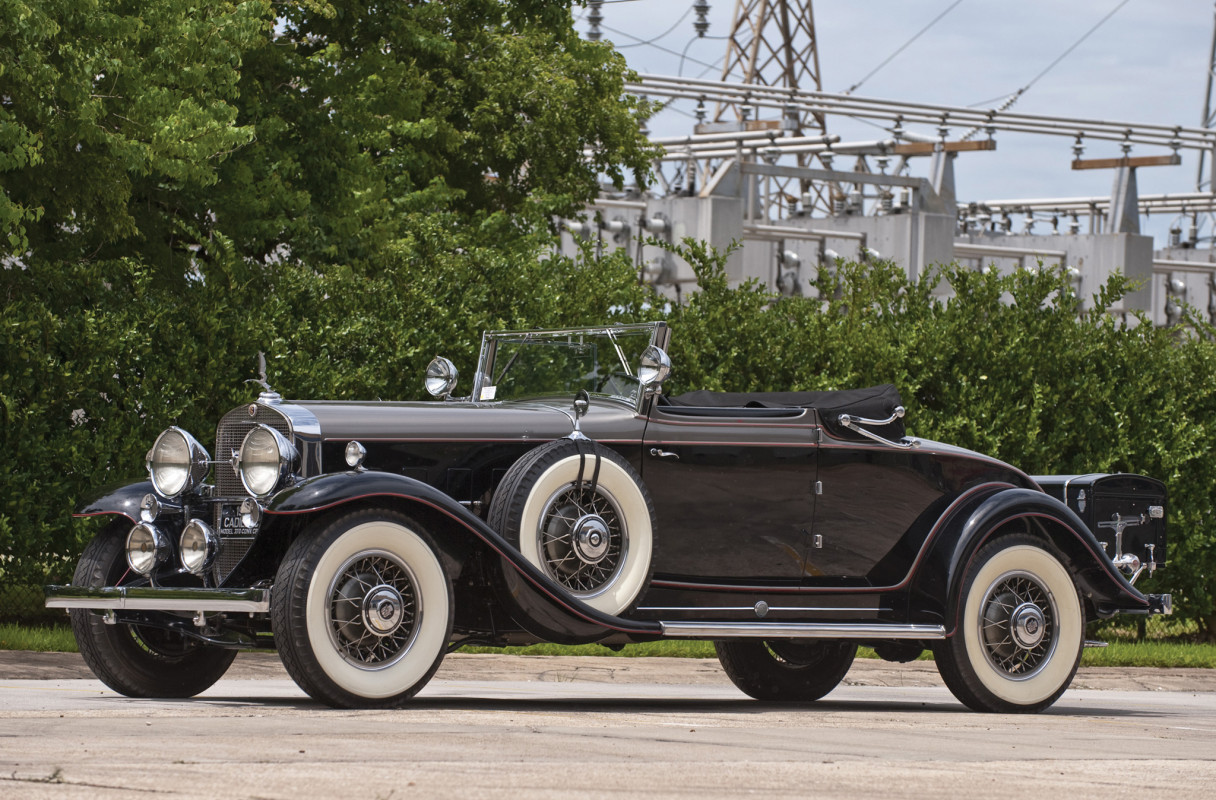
column 521, row 365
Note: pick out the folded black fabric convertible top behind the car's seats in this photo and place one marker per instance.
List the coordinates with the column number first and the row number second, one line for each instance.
column 875, row 403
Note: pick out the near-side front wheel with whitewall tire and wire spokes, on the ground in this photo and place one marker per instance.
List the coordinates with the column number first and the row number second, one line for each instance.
column 363, row 611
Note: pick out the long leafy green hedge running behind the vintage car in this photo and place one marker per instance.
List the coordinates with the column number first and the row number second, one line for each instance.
column 97, row 360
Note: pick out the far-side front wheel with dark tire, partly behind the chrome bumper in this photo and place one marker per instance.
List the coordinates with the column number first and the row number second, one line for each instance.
column 138, row 661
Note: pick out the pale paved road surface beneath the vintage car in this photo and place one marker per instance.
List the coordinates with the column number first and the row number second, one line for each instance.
column 517, row 728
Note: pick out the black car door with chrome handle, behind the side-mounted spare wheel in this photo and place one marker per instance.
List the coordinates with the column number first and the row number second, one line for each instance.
column 734, row 492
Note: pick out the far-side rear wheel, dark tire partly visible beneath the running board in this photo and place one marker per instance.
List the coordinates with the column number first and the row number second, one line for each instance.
column 786, row 669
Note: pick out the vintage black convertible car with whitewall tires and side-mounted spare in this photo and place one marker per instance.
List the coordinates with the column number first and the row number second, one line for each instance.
column 570, row 500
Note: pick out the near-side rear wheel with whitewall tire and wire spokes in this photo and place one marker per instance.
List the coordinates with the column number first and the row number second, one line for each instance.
column 1021, row 630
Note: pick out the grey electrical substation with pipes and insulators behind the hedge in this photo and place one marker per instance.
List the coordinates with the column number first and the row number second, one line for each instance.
column 762, row 166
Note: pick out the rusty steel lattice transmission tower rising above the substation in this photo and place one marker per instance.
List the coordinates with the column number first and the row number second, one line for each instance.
column 773, row 44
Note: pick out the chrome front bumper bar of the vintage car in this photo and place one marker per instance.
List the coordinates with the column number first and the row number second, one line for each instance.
column 148, row 599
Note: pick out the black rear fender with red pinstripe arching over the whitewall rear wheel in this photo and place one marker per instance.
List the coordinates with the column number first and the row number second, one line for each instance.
column 961, row 539
